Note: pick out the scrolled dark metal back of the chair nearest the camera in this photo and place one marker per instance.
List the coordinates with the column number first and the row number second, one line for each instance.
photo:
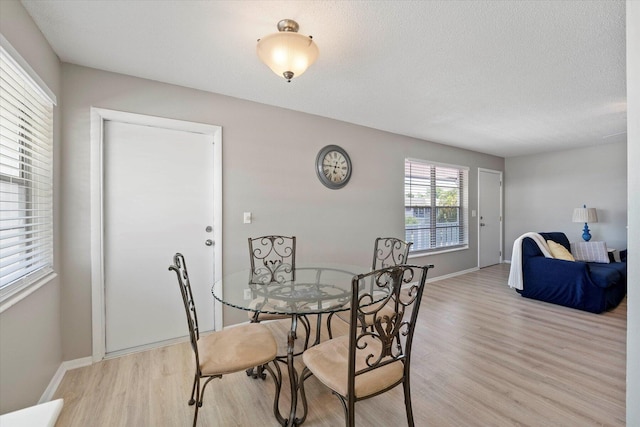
column 389, row 337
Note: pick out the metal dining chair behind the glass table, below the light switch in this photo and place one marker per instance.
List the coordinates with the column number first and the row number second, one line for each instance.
column 273, row 260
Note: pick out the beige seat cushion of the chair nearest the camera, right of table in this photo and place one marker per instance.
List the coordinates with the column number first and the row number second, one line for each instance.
column 329, row 363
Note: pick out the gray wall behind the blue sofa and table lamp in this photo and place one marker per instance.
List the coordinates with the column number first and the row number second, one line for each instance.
column 542, row 190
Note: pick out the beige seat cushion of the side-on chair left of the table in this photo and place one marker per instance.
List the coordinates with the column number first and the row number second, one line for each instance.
column 236, row 349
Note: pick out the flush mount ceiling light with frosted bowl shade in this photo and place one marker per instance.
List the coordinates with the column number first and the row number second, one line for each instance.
column 286, row 52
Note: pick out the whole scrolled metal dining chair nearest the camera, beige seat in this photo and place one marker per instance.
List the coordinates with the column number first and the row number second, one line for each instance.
column 368, row 362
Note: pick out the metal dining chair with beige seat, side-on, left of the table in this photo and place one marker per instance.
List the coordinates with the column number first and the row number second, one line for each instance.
column 226, row 351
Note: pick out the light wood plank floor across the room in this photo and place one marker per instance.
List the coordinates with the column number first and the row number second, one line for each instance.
column 482, row 356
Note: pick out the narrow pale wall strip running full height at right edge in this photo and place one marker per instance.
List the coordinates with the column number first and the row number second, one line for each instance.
column 633, row 295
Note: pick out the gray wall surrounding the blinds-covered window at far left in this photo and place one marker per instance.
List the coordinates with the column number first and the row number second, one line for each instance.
column 30, row 334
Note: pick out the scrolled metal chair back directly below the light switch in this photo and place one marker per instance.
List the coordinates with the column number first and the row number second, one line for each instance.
column 273, row 259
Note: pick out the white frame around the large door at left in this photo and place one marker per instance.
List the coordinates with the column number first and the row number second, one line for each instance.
column 98, row 117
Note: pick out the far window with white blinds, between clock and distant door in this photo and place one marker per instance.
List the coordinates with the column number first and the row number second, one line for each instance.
column 435, row 205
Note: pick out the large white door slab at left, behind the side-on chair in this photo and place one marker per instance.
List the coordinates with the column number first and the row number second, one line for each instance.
column 158, row 200
